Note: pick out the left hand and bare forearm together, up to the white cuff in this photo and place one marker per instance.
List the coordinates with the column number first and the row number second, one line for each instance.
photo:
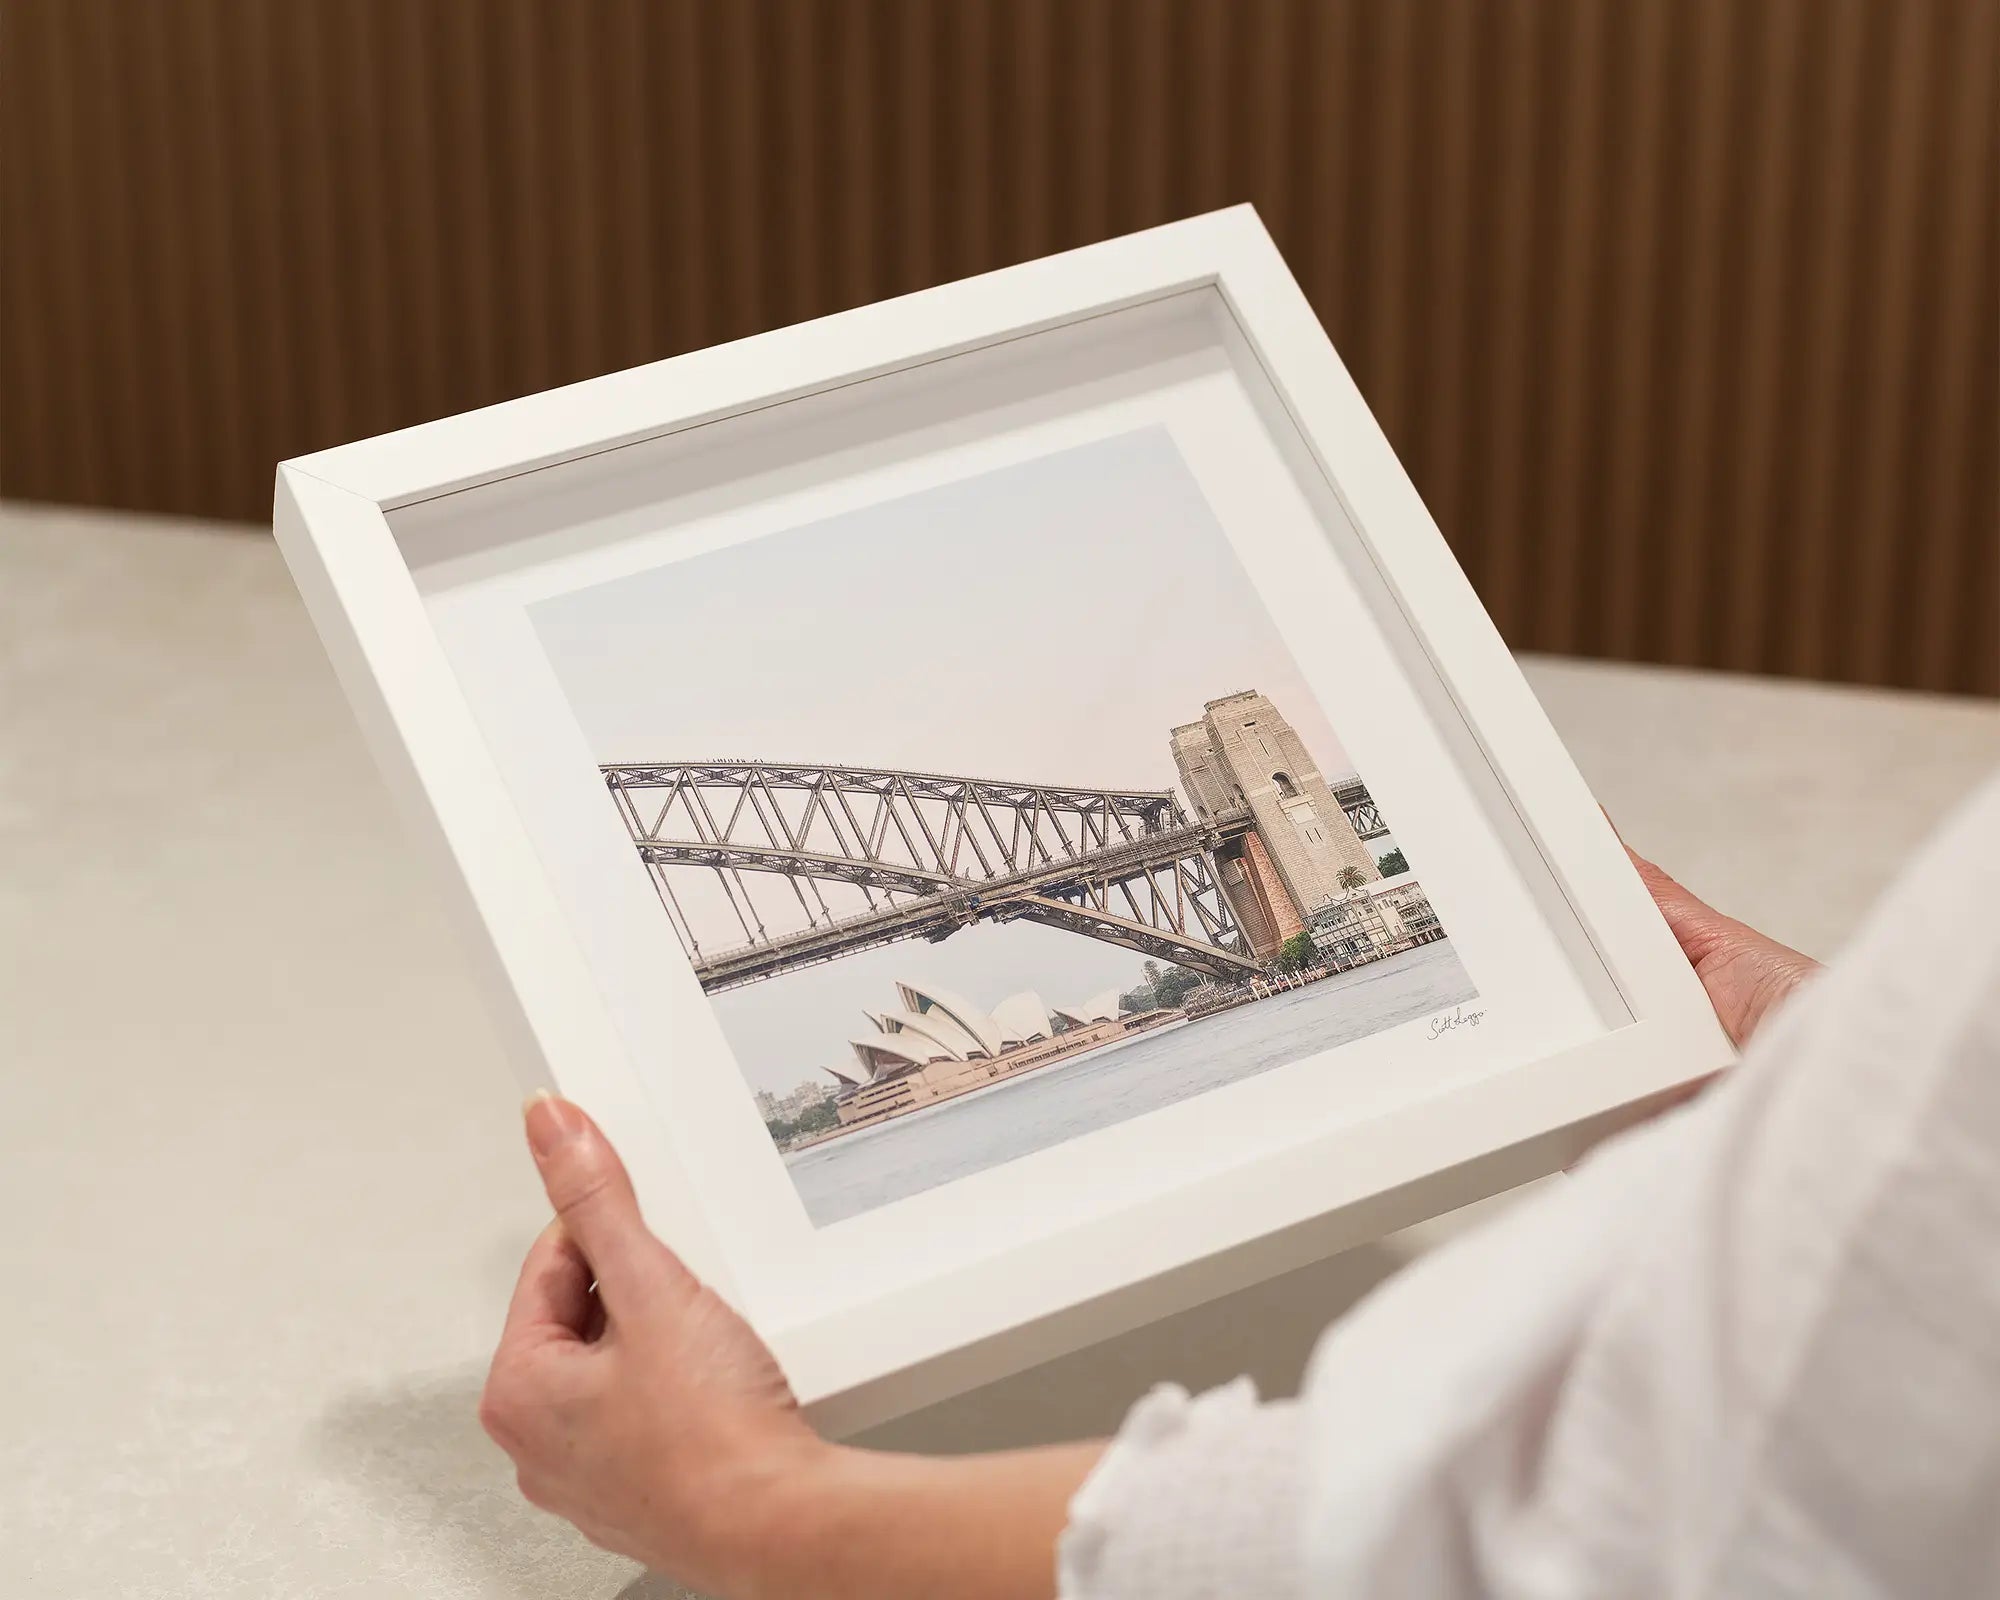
column 647, row 1413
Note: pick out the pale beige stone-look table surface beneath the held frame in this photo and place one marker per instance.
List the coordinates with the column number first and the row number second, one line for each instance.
column 263, row 1157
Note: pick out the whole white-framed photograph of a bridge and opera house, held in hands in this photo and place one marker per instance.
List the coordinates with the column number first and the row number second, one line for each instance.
column 1001, row 803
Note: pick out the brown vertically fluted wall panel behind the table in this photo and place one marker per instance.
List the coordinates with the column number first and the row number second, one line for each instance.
column 1681, row 313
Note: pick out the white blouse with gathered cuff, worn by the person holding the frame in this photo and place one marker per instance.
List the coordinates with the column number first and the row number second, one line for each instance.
column 1751, row 1349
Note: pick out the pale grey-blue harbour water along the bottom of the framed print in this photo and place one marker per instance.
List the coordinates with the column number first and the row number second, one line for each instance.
column 933, row 1147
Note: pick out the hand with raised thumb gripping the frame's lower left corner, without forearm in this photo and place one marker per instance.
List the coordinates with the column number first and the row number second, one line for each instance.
column 633, row 1401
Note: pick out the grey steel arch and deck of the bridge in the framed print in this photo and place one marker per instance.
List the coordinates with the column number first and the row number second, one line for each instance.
column 867, row 857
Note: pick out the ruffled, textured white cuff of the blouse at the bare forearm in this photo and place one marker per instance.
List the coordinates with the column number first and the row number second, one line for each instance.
column 1195, row 1501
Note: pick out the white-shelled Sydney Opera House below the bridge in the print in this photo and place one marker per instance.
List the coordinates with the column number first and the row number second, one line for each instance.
column 935, row 1045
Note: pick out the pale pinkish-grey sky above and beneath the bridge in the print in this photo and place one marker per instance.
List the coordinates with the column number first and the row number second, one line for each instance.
column 1043, row 623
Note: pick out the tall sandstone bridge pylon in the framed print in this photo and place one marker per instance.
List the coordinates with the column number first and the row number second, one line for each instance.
column 1247, row 761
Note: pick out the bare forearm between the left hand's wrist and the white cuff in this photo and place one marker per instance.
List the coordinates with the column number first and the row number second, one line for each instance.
column 865, row 1525
